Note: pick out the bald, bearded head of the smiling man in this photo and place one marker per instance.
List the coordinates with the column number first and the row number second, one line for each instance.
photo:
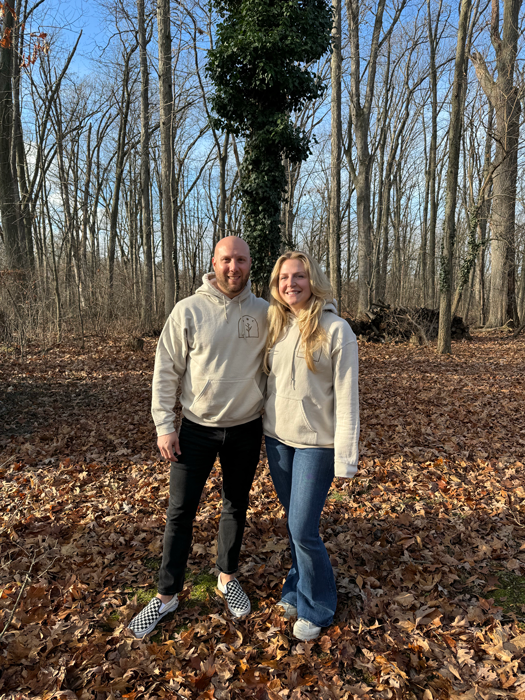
column 231, row 262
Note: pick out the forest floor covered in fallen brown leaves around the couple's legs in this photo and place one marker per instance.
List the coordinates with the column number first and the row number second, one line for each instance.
column 428, row 541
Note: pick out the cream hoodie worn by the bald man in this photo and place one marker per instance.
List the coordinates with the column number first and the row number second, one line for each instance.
column 214, row 346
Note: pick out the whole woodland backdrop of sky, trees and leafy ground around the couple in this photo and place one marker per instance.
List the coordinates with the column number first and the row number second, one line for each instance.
column 383, row 138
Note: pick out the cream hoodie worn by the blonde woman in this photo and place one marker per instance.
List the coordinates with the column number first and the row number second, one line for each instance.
column 316, row 409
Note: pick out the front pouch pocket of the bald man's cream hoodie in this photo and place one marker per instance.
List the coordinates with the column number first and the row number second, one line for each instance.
column 228, row 400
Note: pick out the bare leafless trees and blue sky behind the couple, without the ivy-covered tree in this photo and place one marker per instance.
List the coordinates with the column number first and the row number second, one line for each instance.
column 117, row 180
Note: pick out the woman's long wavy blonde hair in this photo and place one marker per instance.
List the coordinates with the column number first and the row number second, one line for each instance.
column 312, row 333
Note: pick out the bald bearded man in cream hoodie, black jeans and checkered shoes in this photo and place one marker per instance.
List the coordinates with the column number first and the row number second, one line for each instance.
column 212, row 344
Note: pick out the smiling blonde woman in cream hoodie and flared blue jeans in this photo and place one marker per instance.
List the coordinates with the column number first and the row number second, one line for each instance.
column 311, row 425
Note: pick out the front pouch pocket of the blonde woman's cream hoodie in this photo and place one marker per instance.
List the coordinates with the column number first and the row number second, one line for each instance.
column 287, row 419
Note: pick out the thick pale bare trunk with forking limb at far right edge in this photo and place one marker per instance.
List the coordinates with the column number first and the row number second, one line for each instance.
column 504, row 97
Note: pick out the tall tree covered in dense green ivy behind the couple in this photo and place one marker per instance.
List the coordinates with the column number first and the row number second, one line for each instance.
column 259, row 67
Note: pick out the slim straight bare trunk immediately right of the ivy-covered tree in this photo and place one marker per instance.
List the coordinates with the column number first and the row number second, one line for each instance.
column 334, row 241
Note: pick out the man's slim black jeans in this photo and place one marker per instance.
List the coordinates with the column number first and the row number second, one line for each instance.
column 239, row 450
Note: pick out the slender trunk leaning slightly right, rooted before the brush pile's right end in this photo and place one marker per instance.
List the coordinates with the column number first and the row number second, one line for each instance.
column 454, row 147
